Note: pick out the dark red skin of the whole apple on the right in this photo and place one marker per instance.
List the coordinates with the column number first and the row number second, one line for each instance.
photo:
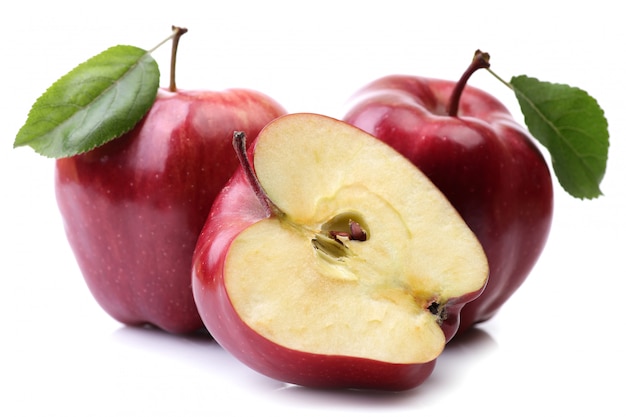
column 483, row 161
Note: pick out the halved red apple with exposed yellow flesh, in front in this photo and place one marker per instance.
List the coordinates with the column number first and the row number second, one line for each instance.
column 331, row 261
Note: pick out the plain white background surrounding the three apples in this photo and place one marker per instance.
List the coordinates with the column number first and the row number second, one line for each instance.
column 556, row 347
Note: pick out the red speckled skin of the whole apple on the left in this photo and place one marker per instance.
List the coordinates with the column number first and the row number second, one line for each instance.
column 134, row 207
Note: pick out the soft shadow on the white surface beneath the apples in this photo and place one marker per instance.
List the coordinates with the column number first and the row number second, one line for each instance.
column 201, row 352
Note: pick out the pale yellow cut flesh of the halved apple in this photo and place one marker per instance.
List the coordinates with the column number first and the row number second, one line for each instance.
column 372, row 302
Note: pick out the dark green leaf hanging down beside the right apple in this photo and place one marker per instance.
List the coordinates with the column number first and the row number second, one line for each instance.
column 571, row 125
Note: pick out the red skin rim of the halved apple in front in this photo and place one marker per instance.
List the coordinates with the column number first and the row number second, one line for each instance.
column 236, row 208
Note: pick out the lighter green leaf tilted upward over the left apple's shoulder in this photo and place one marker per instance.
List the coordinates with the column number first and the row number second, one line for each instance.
column 97, row 101
